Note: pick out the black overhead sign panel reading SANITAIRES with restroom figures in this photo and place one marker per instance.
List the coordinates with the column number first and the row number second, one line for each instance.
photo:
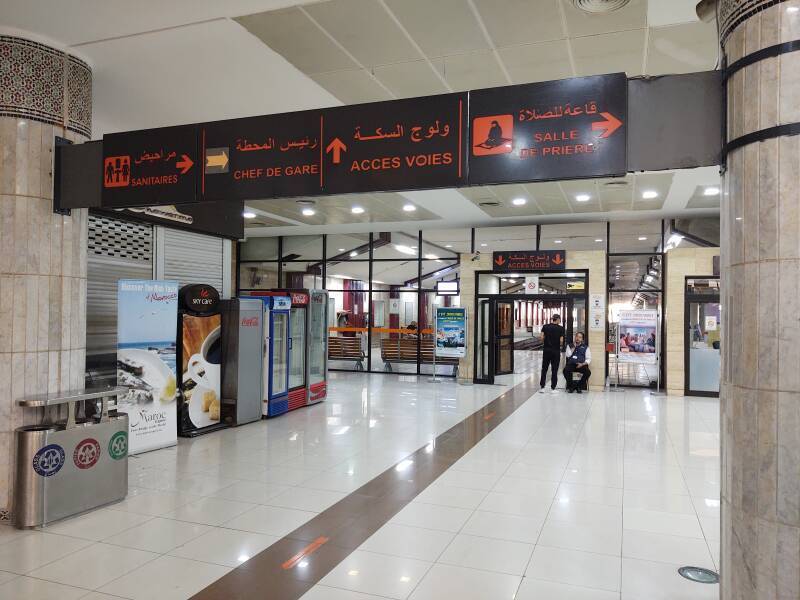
column 150, row 167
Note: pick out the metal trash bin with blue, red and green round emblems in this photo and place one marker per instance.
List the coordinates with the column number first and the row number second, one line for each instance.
column 63, row 469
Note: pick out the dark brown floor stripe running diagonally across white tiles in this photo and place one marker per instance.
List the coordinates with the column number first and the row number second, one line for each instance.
column 293, row 565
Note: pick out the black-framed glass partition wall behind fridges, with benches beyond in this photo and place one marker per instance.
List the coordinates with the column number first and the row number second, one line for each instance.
column 381, row 286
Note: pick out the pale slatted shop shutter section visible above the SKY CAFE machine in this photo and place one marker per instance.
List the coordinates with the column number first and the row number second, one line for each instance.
column 193, row 258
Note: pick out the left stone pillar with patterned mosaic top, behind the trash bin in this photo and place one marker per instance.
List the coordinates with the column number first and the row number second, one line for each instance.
column 44, row 93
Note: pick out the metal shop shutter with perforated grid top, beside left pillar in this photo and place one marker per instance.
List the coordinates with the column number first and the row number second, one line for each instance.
column 117, row 249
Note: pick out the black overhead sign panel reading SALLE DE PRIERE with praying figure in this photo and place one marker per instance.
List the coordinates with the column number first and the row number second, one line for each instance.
column 566, row 129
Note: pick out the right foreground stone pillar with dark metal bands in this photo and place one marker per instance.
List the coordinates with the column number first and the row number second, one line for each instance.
column 760, row 393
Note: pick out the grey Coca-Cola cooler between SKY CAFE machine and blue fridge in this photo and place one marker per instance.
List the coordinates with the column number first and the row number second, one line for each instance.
column 242, row 360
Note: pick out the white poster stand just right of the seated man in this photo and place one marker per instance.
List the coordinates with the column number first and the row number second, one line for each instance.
column 638, row 341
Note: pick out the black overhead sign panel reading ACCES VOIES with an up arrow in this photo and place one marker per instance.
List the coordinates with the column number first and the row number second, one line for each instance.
column 415, row 143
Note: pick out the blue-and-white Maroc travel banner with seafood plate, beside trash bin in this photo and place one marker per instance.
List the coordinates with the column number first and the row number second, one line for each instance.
column 147, row 318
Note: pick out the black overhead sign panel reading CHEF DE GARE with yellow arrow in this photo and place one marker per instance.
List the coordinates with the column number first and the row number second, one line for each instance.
column 263, row 157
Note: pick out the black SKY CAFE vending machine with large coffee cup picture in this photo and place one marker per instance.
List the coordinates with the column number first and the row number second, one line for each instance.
column 199, row 360
